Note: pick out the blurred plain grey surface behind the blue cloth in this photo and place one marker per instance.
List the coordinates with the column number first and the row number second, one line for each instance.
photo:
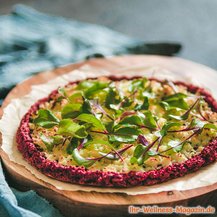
column 193, row 23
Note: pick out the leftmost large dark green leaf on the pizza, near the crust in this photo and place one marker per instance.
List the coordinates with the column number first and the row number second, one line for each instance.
column 46, row 119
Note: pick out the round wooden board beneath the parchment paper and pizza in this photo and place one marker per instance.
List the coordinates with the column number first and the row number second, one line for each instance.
column 103, row 204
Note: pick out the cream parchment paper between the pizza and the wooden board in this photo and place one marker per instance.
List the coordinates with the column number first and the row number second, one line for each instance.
column 18, row 107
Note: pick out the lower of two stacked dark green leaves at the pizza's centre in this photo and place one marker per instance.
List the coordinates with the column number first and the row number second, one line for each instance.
column 125, row 134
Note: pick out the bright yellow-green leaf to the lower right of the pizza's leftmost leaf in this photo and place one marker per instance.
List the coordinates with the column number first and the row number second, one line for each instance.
column 69, row 128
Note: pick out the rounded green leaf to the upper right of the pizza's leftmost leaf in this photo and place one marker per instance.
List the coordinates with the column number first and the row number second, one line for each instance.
column 71, row 110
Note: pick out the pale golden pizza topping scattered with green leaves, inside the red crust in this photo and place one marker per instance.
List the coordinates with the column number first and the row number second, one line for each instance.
column 126, row 125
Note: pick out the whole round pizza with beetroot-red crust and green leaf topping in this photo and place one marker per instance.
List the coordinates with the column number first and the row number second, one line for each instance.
column 120, row 131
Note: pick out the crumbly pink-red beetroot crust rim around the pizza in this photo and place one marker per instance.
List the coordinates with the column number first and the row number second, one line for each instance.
column 80, row 175
